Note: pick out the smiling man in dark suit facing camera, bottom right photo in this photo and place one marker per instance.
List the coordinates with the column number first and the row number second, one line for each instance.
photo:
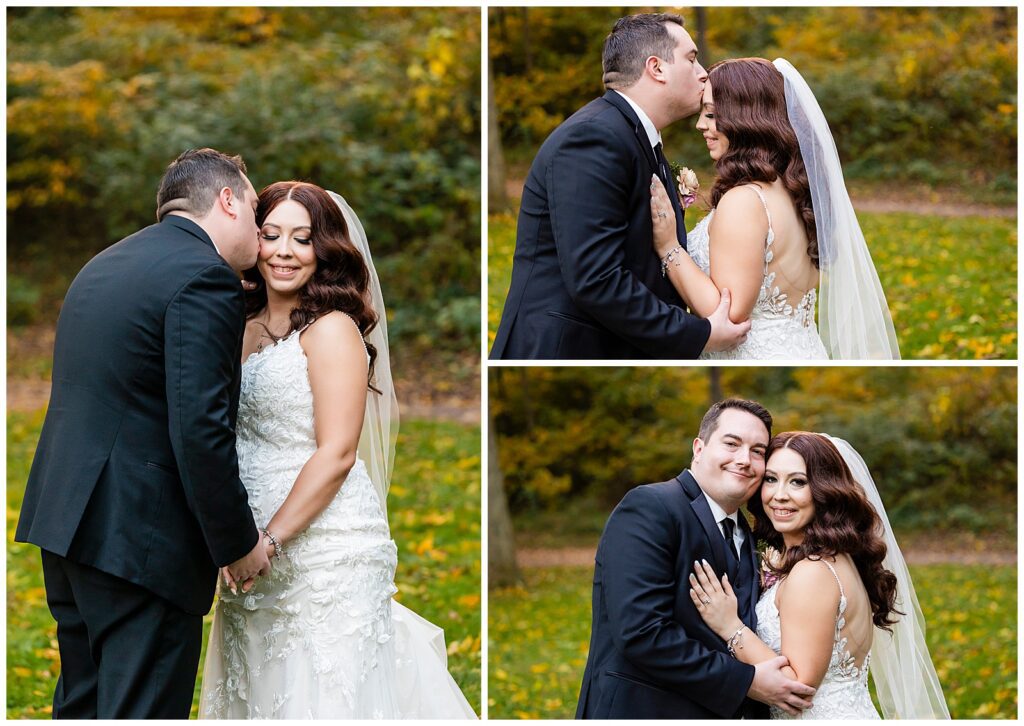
column 652, row 657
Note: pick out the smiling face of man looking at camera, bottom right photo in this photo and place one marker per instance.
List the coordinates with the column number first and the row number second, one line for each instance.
column 730, row 465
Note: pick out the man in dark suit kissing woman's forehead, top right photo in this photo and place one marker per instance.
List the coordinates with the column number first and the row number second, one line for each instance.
column 586, row 282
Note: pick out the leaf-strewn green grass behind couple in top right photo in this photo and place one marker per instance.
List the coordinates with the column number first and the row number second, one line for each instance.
column 951, row 282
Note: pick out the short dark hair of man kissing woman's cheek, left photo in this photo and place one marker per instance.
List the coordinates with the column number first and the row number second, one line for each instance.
column 193, row 182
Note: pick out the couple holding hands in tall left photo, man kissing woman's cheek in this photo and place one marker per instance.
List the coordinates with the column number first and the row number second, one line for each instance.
column 182, row 416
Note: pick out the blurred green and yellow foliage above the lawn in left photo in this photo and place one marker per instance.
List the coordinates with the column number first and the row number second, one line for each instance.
column 380, row 105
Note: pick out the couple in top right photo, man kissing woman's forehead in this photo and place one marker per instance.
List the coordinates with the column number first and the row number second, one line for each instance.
column 604, row 267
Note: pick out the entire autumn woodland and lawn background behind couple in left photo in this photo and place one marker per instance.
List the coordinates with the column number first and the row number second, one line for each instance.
column 380, row 105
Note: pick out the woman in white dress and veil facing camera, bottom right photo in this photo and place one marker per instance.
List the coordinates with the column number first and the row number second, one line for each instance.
column 843, row 601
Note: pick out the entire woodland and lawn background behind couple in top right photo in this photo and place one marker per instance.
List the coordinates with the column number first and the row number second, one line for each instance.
column 922, row 104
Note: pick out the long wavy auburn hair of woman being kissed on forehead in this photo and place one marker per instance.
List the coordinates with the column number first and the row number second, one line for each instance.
column 750, row 111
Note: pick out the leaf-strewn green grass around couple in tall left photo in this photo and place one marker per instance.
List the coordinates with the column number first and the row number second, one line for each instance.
column 435, row 511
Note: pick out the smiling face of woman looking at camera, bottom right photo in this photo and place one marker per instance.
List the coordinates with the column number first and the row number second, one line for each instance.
column 786, row 495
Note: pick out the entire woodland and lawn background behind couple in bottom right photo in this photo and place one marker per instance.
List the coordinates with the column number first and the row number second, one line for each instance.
column 569, row 443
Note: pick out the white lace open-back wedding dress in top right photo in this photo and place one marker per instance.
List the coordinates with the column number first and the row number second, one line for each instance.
column 780, row 330
